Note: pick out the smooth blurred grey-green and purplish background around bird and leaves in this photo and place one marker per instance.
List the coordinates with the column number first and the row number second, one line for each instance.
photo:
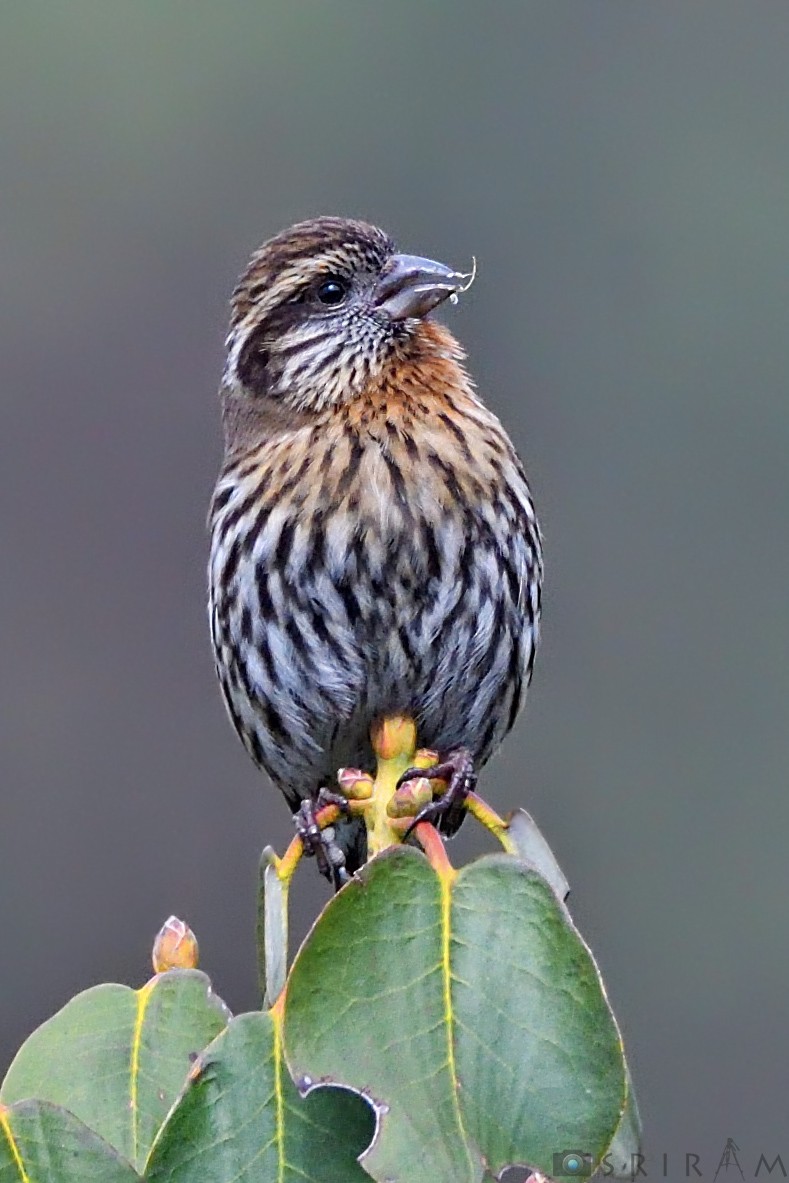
column 622, row 173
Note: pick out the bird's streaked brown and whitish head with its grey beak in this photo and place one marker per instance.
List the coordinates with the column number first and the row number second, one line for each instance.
column 322, row 308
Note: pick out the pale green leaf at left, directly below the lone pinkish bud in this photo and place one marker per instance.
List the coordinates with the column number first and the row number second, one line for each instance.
column 119, row 1058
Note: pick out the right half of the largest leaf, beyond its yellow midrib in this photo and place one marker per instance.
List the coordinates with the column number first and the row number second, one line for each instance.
column 538, row 1048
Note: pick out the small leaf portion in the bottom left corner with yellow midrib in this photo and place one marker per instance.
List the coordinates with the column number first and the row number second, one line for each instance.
column 42, row 1142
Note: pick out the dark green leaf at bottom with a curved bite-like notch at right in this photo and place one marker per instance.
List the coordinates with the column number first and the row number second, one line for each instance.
column 242, row 1119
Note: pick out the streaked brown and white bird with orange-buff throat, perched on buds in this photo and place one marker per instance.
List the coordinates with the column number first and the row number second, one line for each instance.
column 374, row 544
